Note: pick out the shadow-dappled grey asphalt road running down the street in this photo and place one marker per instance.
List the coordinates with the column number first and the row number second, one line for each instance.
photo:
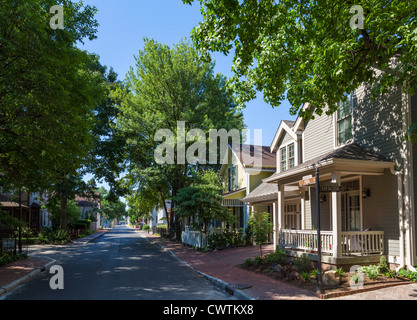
column 119, row 265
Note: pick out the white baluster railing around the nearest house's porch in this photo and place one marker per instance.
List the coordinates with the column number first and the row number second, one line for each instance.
column 352, row 242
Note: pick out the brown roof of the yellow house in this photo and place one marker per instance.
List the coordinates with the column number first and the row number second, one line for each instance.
column 244, row 152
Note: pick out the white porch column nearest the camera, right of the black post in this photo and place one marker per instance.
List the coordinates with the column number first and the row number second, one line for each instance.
column 336, row 217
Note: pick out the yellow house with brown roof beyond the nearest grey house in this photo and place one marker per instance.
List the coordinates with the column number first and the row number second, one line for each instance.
column 243, row 171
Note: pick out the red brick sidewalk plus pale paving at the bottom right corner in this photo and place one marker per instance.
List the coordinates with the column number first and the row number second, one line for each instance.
column 223, row 265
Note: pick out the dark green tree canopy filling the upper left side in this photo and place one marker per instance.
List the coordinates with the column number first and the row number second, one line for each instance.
column 47, row 90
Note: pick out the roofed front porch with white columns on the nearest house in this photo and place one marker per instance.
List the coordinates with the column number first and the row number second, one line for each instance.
column 358, row 208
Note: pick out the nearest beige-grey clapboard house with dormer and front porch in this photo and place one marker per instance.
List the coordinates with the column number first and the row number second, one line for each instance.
column 361, row 149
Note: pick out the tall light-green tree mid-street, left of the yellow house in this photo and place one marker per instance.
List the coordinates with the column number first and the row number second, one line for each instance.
column 168, row 85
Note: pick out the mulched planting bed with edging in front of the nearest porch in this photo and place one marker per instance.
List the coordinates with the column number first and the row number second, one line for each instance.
column 343, row 289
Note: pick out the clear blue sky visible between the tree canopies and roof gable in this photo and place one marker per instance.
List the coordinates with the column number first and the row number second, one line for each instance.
column 124, row 24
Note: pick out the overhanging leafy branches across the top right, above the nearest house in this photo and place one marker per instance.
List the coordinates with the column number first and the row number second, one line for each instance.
column 308, row 51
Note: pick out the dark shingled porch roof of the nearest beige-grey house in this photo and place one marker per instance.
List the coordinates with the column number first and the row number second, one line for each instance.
column 352, row 151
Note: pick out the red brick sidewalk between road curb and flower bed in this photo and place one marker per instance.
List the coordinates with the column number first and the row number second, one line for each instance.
column 223, row 265
